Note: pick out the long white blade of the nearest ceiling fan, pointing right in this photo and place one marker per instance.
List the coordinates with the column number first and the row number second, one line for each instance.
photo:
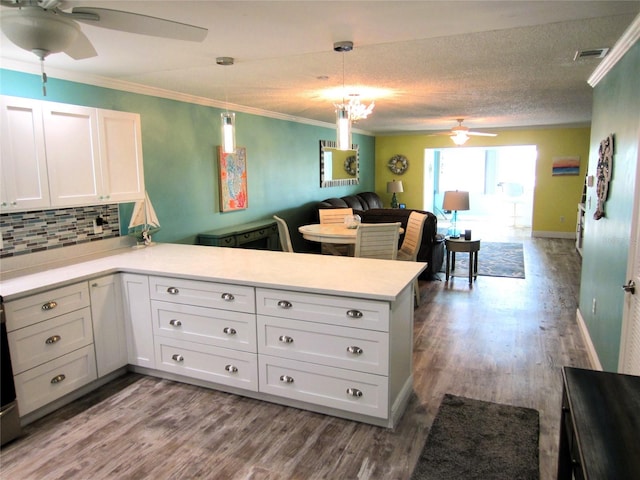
column 141, row 24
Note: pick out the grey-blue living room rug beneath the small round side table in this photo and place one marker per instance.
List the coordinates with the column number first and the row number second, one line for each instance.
column 495, row 259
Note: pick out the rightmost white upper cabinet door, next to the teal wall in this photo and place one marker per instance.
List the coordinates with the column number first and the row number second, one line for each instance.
column 121, row 156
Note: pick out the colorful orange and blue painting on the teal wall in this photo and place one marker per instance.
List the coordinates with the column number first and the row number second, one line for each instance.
column 233, row 179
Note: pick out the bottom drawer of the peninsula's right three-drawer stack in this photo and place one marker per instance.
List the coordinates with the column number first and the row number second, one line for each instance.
column 347, row 390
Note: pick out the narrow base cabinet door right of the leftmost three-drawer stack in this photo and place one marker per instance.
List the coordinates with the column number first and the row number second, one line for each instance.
column 109, row 332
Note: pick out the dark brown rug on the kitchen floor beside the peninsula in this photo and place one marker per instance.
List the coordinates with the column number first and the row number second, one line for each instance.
column 476, row 440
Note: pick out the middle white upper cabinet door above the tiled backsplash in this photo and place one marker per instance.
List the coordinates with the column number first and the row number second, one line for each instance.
column 71, row 141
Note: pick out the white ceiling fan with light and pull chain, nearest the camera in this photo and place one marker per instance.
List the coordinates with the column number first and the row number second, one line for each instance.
column 41, row 27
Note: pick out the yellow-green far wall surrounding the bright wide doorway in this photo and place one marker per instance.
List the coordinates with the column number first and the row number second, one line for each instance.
column 554, row 197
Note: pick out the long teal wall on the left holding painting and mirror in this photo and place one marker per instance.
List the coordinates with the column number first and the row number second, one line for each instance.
column 179, row 142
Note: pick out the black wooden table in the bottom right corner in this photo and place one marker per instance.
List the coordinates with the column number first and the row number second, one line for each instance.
column 600, row 427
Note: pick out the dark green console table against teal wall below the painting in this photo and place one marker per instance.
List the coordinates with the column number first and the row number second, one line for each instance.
column 261, row 234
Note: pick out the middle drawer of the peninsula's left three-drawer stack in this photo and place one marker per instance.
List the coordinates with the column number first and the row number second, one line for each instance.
column 209, row 326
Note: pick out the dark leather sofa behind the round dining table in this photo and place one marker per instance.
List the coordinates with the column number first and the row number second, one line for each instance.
column 371, row 210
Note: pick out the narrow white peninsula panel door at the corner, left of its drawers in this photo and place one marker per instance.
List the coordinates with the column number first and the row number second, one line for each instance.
column 137, row 312
